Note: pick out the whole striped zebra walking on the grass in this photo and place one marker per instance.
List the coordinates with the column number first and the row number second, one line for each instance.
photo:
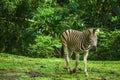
column 79, row 42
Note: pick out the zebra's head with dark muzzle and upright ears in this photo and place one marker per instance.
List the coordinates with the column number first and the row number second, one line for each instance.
column 93, row 38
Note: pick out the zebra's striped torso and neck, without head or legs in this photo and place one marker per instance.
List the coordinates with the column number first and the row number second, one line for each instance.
column 76, row 40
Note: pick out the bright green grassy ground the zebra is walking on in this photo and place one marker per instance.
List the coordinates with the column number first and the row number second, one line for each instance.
column 13, row 67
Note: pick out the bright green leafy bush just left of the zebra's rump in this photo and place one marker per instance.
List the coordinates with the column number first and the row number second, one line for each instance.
column 44, row 46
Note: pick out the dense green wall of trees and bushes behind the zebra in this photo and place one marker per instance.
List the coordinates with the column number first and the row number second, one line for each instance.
column 33, row 27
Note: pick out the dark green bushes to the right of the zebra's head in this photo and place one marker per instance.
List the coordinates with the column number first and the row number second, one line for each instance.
column 108, row 46
